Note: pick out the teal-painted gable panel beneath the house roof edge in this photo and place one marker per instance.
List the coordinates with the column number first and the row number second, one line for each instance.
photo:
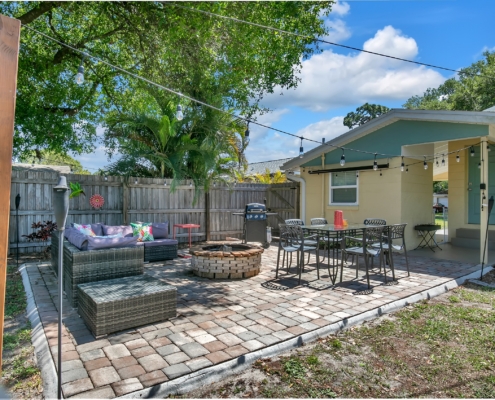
column 391, row 138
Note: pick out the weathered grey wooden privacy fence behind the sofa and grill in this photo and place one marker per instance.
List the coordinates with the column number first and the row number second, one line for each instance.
column 148, row 200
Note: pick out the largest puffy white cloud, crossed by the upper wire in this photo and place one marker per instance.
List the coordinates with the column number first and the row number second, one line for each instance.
column 330, row 80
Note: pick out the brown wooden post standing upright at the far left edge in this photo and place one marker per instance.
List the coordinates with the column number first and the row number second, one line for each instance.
column 10, row 30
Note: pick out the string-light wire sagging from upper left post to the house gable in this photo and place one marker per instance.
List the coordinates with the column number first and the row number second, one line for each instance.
column 86, row 54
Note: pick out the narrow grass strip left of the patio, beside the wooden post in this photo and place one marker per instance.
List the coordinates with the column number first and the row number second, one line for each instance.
column 20, row 374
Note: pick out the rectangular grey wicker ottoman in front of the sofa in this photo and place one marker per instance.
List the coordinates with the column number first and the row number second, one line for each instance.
column 122, row 303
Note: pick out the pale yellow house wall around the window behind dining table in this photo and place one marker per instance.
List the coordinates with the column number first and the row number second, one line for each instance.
column 395, row 196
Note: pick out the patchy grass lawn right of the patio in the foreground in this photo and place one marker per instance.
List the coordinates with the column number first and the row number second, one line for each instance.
column 444, row 347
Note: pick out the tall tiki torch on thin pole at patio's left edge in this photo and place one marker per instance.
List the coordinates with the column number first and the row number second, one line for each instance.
column 60, row 210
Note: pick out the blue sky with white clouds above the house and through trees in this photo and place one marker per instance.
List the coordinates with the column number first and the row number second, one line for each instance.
column 446, row 33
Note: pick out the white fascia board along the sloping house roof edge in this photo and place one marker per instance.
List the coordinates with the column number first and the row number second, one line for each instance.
column 461, row 117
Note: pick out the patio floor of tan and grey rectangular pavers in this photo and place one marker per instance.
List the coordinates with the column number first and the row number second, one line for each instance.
column 217, row 320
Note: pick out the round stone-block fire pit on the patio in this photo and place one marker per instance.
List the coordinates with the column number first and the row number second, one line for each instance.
column 226, row 260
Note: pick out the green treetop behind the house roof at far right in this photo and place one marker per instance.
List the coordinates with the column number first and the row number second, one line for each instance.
column 473, row 90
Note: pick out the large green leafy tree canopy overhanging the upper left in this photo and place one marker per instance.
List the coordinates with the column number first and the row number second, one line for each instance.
column 189, row 52
